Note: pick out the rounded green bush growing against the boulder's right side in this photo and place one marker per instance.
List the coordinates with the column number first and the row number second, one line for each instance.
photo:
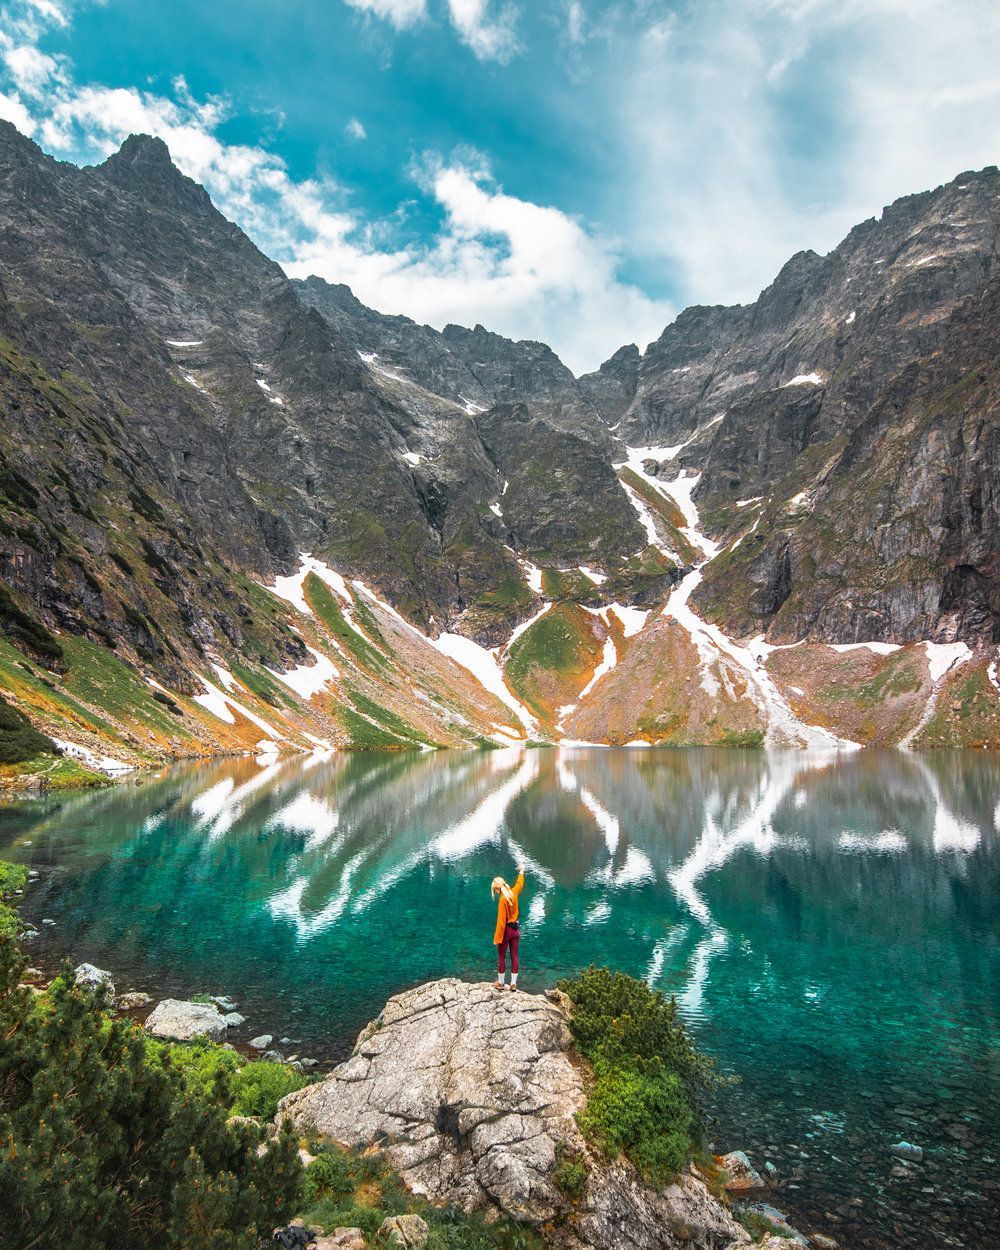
column 652, row 1087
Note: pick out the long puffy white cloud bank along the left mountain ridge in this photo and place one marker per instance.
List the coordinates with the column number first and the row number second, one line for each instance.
column 523, row 269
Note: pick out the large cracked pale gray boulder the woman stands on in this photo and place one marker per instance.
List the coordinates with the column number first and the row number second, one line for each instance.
column 473, row 1093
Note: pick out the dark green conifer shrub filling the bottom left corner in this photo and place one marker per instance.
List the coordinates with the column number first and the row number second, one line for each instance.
column 101, row 1147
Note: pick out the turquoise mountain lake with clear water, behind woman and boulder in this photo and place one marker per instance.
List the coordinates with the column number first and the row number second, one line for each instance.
column 829, row 924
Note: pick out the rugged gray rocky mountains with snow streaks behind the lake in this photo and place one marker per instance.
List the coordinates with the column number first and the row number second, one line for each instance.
column 246, row 513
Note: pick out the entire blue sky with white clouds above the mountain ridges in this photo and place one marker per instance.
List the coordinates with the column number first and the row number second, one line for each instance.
column 568, row 171
